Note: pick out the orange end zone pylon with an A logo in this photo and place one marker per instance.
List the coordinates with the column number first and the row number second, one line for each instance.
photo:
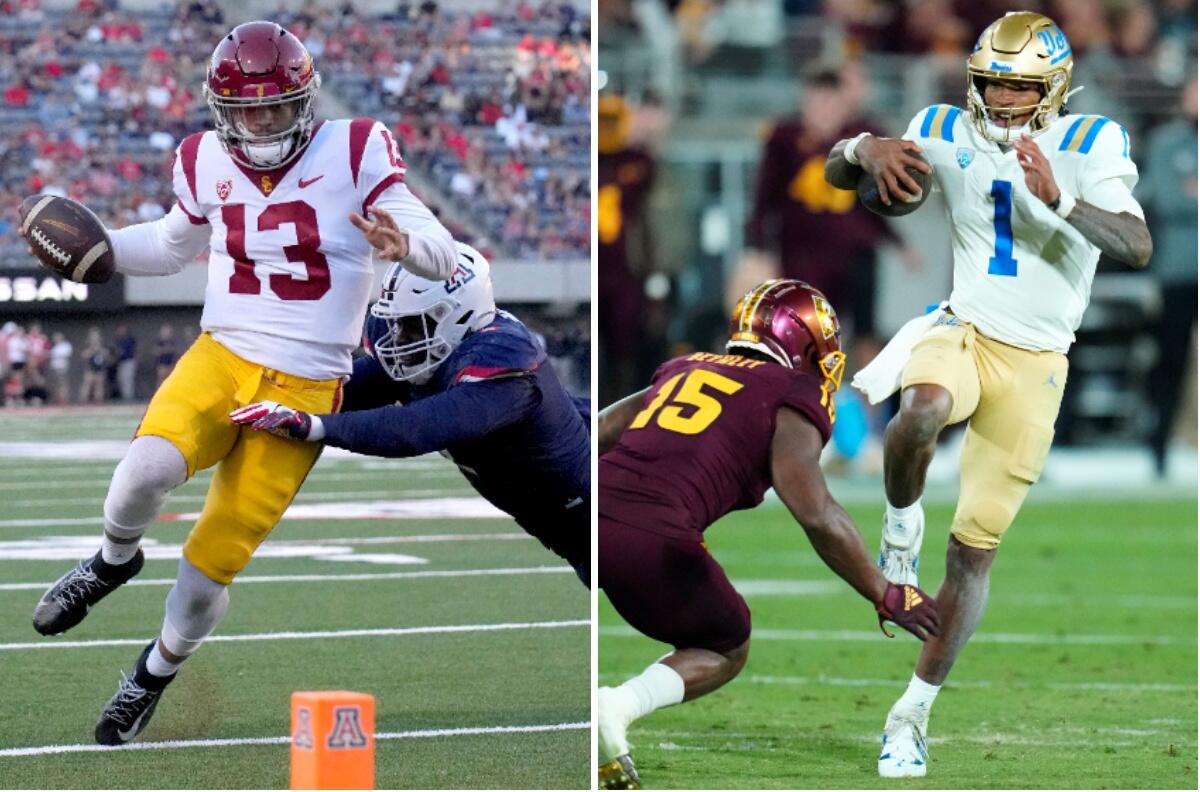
column 333, row 741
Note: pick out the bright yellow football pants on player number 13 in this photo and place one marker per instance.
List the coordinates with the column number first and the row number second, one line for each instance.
column 259, row 475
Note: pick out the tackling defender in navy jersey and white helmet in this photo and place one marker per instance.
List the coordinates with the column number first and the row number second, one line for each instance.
column 447, row 371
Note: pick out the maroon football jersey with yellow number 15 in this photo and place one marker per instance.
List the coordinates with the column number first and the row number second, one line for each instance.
column 701, row 446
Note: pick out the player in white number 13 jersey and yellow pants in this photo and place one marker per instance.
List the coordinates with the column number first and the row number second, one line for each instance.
column 295, row 214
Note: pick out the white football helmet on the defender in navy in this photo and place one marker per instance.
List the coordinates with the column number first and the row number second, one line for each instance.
column 417, row 323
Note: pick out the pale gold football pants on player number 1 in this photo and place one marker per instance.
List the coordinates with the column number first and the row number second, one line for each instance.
column 1012, row 398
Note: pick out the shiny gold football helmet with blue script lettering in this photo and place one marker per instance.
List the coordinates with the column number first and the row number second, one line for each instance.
column 1022, row 47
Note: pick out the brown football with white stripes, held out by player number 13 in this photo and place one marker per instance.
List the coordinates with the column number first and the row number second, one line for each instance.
column 68, row 239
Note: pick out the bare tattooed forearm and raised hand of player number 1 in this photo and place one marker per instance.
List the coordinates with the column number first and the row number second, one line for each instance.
column 1120, row 236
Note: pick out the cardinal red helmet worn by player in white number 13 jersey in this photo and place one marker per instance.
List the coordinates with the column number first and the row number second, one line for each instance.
column 261, row 88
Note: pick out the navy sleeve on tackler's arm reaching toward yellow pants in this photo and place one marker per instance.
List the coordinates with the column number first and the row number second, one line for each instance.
column 464, row 413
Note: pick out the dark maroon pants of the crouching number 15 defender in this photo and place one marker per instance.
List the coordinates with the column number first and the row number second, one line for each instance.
column 670, row 589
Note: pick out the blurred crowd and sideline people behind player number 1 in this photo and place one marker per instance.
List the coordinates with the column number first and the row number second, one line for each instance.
column 734, row 122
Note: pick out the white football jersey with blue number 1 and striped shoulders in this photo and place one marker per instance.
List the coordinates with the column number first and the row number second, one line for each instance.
column 1022, row 274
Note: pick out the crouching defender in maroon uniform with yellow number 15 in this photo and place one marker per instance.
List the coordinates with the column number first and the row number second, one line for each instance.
column 710, row 436
